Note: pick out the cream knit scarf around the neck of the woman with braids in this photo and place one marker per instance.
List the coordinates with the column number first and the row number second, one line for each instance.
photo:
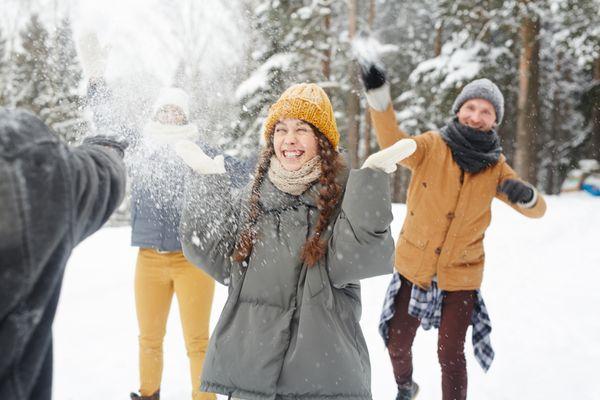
column 294, row 182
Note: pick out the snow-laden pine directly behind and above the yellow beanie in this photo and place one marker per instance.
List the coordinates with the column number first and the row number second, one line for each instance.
column 288, row 46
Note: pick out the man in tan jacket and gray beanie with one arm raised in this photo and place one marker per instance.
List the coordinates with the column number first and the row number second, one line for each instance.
column 456, row 173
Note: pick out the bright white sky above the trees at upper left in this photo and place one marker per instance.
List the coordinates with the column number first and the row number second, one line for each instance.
column 145, row 36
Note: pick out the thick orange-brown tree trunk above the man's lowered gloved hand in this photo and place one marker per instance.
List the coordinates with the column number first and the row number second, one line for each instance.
column 528, row 102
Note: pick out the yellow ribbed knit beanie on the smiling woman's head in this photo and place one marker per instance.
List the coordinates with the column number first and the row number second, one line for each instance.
column 308, row 102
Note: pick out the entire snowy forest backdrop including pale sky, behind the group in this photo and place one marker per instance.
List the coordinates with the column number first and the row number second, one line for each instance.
column 234, row 58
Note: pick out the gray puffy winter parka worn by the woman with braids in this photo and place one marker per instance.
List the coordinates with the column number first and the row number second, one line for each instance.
column 288, row 331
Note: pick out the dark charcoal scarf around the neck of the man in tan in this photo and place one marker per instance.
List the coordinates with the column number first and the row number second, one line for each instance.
column 472, row 150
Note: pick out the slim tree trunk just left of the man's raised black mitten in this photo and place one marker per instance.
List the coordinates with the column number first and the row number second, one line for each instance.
column 353, row 101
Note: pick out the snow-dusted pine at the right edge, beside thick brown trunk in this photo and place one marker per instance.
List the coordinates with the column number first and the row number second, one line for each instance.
column 569, row 39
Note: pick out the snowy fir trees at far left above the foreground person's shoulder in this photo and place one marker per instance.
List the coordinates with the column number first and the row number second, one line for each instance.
column 42, row 74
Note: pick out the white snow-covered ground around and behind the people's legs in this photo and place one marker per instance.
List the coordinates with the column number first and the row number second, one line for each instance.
column 540, row 286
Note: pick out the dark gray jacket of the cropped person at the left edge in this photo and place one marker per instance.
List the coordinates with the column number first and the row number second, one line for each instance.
column 51, row 198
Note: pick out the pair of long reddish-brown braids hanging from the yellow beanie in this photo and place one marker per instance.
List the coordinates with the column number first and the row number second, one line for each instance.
column 329, row 194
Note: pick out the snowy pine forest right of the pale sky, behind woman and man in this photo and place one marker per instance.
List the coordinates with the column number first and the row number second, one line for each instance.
column 543, row 54
